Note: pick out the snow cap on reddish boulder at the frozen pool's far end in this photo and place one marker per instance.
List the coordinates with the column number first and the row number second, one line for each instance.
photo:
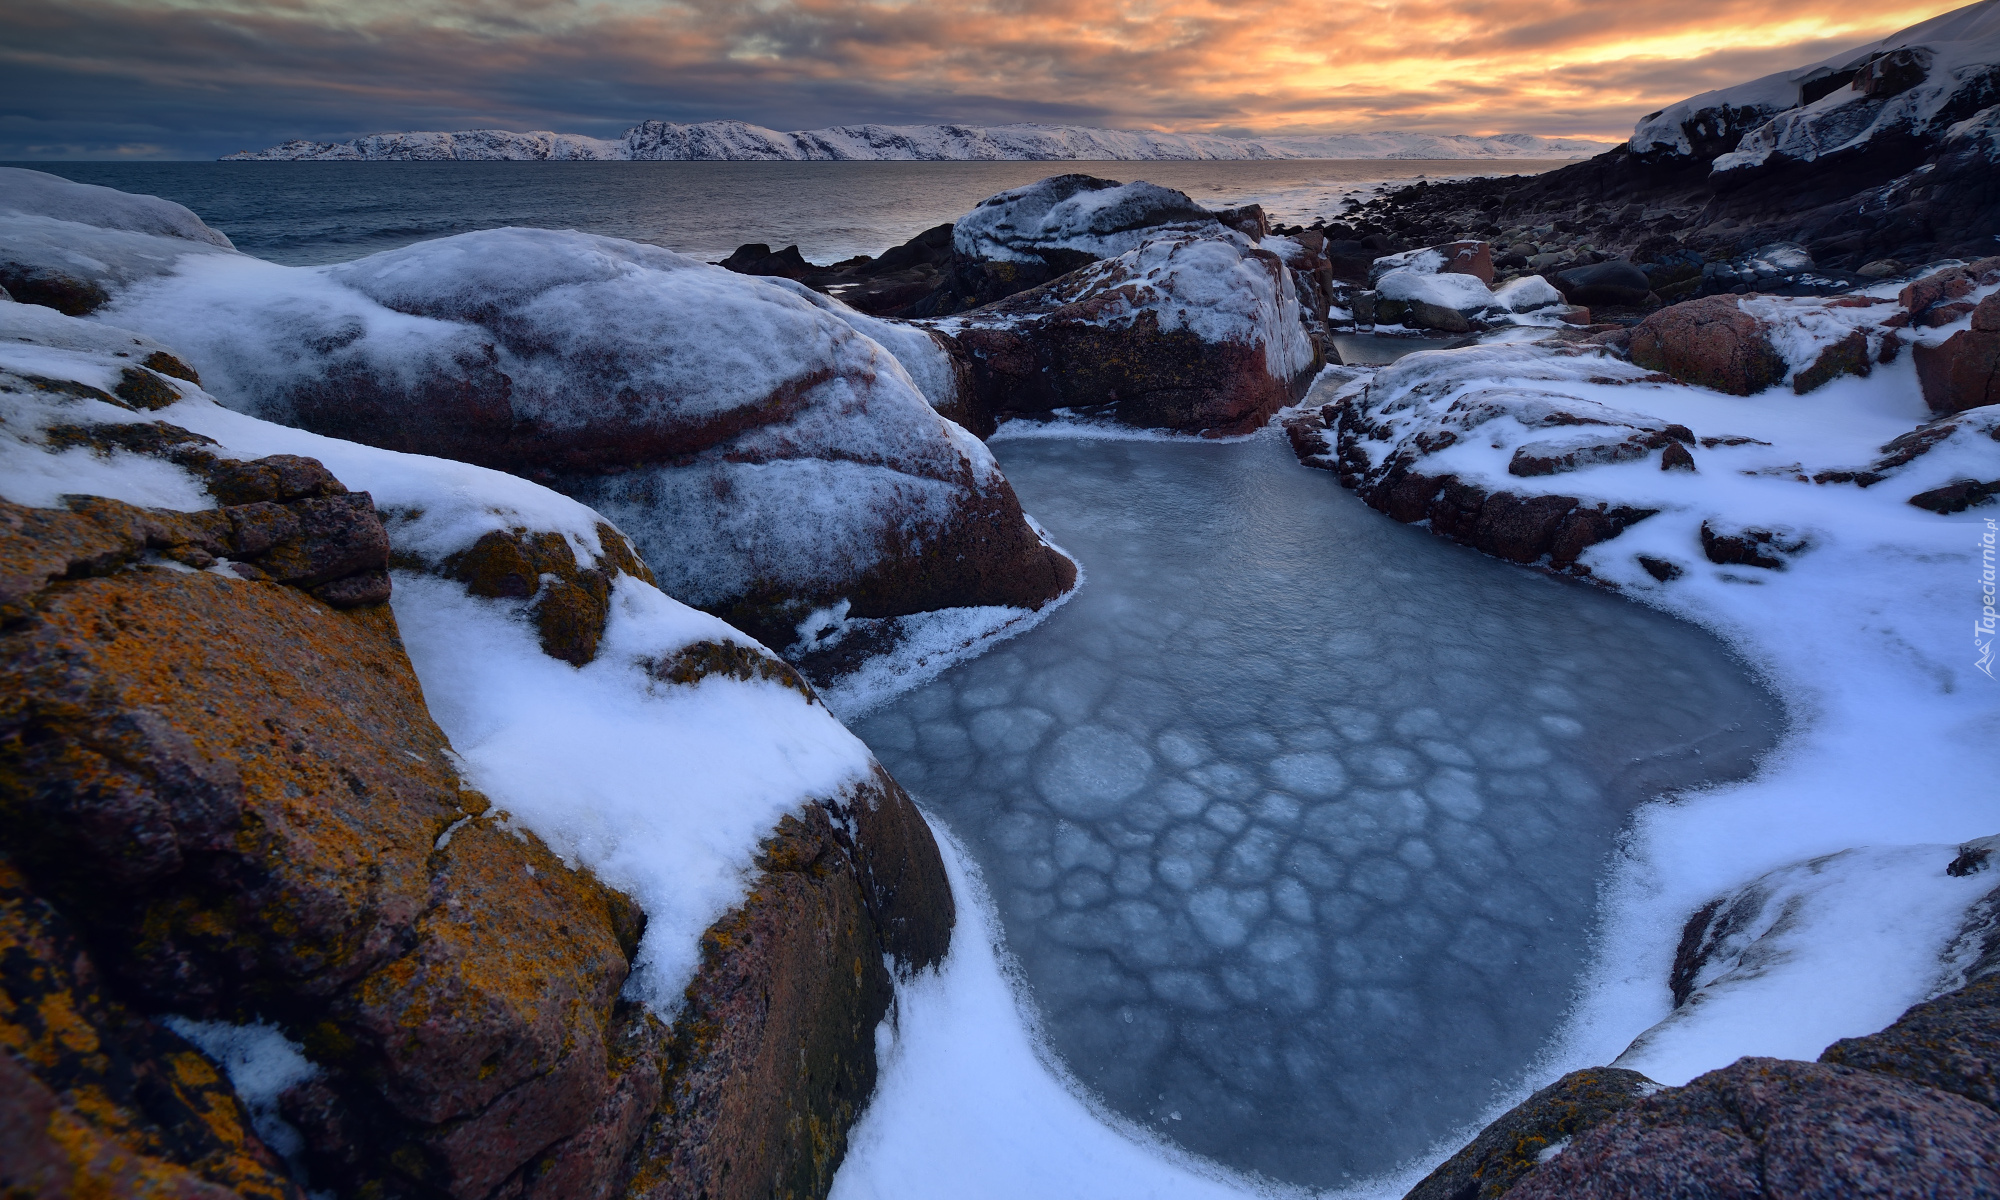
column 1221, row 287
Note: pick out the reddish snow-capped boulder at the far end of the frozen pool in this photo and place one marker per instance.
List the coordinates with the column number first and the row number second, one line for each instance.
column 1189, row 331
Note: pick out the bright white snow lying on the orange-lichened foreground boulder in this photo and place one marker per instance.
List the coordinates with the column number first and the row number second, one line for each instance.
column 661, row 789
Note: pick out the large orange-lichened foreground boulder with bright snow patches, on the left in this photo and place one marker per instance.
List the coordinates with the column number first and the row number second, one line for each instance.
column 485, row 867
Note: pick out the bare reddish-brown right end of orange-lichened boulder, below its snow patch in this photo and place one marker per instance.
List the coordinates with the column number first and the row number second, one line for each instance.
column 775, row 1051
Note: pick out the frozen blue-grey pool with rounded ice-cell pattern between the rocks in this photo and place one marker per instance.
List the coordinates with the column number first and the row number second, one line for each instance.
column 1295, row 815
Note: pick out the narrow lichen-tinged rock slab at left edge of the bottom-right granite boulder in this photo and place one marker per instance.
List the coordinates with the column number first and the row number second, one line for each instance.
column 1539, row 1127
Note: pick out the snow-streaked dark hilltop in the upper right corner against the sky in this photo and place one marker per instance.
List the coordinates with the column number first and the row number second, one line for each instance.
column 1913, row 83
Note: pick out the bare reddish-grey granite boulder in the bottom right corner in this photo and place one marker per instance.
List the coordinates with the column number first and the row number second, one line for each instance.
column 1767, row 1127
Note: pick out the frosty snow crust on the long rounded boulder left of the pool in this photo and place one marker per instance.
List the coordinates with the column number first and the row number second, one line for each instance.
column 577, row 319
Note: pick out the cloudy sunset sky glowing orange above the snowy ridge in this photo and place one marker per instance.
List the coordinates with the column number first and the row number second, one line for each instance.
column 197, row 79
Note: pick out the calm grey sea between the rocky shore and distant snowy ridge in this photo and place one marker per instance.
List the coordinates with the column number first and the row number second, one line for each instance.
column 305, row 213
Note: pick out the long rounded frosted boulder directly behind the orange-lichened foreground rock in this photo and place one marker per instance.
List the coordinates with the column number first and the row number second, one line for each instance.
column 769, row 455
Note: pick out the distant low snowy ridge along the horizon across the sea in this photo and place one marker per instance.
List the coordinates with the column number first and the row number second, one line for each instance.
column 733, row 141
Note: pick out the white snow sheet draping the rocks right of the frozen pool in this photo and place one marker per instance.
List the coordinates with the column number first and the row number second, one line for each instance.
column 1867, row 631
